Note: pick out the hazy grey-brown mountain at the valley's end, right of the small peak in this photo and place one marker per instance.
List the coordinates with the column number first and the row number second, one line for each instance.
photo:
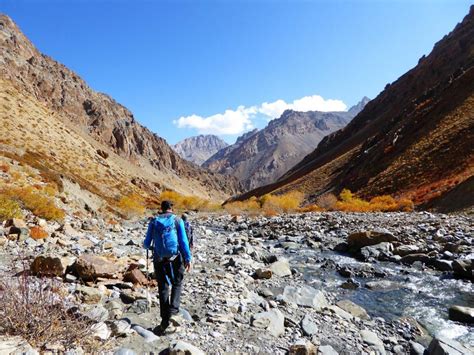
column 261, row 157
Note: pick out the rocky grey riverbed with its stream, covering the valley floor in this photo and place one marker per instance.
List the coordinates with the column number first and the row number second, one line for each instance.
column 322, row 283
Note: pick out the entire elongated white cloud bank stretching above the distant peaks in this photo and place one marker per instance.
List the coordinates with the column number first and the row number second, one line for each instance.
column 233, row 122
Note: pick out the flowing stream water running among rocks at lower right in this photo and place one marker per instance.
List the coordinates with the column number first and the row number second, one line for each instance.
column 422, row 294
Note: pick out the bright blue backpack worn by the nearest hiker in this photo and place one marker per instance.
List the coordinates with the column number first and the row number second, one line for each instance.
column 165, row 236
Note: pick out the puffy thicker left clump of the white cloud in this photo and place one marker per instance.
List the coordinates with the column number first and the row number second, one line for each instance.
column 227, row 123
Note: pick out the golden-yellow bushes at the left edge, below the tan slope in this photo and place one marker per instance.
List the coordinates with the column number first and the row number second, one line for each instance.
column 36, row 201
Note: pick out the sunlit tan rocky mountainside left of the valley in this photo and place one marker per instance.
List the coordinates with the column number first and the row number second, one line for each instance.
column 52, row 119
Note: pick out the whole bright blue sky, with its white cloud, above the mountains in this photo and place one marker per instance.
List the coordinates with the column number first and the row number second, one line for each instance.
column 215, row 64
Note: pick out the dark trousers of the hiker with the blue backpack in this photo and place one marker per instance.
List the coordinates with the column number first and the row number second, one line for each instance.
column 167, row 280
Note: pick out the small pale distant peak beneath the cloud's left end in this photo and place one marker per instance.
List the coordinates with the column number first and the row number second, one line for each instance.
column 200, row 148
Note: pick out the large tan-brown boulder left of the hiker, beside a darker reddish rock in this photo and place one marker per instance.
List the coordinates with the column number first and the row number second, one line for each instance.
column 90, row 267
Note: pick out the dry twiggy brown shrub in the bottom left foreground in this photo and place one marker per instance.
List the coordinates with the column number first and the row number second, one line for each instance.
column 37, row 311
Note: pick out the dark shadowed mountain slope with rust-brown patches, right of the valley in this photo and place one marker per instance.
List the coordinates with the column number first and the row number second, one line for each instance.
column 414, row 139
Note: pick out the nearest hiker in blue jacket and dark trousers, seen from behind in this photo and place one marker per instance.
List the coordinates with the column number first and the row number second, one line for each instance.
column 166, row 236
